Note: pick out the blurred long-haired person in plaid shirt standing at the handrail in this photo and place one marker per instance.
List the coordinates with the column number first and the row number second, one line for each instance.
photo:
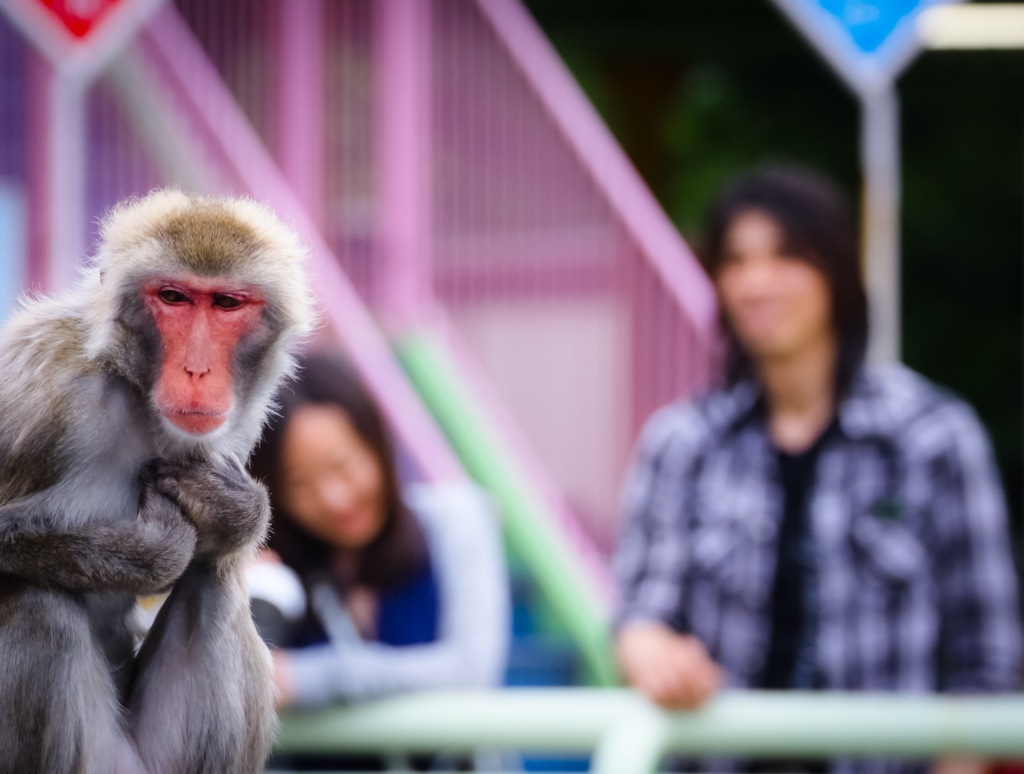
column 819, row 523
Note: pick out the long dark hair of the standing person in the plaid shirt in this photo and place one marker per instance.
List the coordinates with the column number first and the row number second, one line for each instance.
column 818, row 228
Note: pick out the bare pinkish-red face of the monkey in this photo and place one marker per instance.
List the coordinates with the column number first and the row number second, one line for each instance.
column 201, row 322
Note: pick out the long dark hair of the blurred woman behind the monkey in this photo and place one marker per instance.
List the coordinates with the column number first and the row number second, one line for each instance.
column 400, row 550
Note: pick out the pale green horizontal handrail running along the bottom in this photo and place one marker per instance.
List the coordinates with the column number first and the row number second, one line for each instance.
column 628, row 736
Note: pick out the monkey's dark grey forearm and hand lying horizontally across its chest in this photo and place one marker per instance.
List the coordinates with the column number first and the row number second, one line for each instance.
column 44, row 546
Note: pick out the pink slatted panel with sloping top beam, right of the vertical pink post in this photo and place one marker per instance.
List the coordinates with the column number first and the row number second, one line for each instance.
column 566, row 280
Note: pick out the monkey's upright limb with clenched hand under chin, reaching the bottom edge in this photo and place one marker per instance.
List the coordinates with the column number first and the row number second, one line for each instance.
column 220, row 719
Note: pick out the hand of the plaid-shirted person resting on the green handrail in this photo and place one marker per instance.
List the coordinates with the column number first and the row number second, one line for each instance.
column 671, row 669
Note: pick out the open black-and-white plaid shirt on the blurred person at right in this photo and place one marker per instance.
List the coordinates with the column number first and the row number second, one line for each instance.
column 915, row 587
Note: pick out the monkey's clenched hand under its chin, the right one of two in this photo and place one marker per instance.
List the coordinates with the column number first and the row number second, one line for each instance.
column 229, row 508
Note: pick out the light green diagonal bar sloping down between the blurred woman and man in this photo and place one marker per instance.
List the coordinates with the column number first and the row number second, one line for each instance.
column 529, row 525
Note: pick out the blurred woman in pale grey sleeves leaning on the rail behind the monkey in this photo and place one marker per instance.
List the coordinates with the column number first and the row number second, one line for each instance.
column 406, row 587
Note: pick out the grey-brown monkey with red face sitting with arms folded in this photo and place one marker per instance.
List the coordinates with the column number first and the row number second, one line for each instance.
column 129, row 408
